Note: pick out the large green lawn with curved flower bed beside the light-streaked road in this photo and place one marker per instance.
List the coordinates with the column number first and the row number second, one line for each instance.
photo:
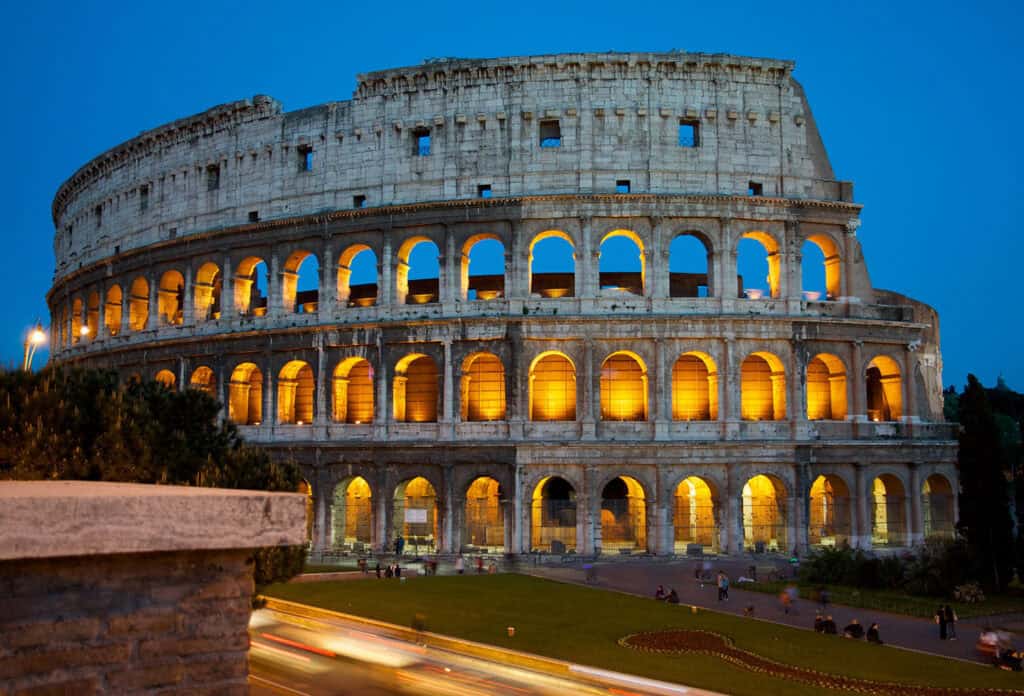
column 584, row 625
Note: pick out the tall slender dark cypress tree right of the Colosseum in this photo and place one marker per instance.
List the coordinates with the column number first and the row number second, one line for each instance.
column 985, row 520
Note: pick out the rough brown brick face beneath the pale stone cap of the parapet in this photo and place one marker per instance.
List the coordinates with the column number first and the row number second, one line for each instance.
column 131, row 624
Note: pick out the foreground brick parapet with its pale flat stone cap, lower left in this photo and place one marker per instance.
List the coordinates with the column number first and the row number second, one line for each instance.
column 122, row 589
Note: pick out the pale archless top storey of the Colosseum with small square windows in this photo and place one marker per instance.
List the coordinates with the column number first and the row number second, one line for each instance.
column 663, row 123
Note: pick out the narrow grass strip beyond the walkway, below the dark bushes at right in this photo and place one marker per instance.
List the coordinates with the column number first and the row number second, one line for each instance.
column 897, row 602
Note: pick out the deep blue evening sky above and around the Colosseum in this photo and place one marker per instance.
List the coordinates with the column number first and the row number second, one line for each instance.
column 919, row 104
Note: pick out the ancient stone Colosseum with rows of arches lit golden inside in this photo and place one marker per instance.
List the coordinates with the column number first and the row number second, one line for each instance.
column 500, row 304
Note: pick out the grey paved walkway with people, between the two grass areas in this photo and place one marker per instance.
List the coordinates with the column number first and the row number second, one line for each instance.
column 641, row 578
